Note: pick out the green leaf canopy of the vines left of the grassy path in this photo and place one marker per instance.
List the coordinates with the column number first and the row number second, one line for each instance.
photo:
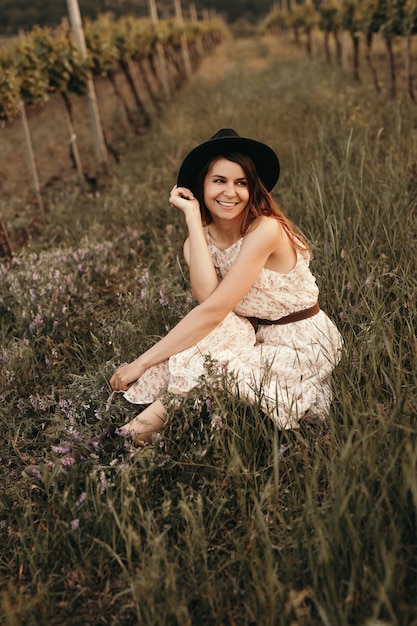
column 48, row 60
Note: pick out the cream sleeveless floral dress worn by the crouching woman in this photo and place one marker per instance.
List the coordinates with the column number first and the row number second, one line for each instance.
column 286, row 368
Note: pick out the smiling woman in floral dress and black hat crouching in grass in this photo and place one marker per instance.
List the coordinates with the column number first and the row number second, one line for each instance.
column 258, row 315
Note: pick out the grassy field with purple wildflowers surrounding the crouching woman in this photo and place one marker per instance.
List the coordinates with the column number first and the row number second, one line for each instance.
column 223, row 520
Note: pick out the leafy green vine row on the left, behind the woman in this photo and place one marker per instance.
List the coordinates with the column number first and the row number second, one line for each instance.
column 47, row 61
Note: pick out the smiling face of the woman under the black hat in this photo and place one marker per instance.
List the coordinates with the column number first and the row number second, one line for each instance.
column 226, row 189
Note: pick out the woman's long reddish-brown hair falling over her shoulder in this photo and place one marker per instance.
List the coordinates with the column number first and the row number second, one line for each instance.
column 260, row 200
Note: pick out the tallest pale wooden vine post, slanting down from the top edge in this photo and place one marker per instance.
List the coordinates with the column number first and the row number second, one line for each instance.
column 99, row 142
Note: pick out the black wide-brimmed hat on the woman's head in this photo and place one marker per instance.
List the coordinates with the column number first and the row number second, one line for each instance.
column 224, row 142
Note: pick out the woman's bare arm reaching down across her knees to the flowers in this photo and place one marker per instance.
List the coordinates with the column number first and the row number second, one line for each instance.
column 258, row 245
